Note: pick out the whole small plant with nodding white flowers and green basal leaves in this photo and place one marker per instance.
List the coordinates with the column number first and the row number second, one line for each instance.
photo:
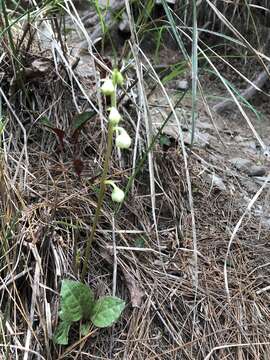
column 77, row 299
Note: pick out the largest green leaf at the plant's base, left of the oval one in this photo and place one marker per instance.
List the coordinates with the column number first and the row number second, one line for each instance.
column 77, row 300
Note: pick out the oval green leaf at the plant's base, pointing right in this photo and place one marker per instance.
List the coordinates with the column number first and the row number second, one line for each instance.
column 106, row 311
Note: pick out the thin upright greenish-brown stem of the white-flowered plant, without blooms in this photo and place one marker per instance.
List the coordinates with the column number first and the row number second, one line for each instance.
column 101, row 191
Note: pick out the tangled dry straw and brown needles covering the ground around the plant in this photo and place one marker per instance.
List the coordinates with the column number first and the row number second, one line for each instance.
column 165, row 250
